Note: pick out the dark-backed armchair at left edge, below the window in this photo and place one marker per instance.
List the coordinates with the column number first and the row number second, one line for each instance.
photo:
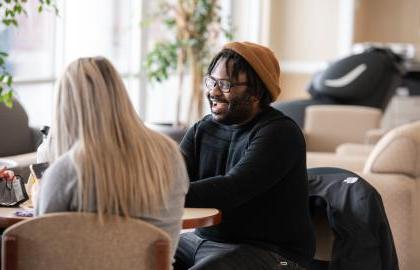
column 18, row 141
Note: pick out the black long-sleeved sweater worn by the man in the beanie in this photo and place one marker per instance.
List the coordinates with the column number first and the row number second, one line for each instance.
column 256, row 175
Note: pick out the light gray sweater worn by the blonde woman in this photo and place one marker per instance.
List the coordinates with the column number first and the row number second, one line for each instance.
column 58, row 193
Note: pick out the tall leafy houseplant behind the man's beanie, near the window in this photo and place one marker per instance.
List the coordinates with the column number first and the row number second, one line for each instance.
column 197, row 27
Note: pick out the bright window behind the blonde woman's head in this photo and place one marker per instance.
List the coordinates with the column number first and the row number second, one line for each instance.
column 43, row 44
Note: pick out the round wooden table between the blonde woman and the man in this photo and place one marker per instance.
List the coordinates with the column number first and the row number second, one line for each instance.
column 192, row 218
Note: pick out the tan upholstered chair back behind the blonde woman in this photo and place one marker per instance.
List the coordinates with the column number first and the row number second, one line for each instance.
column 80, row 241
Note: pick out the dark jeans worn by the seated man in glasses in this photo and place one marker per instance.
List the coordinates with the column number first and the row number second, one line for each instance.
column 195, row 253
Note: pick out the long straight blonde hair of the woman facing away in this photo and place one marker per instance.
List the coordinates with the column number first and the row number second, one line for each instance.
column 121, row 164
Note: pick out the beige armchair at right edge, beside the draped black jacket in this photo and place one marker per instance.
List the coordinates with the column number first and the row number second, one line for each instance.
column 395, row 155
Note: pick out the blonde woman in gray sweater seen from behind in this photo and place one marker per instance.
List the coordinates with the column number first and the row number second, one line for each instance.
column 103, row 157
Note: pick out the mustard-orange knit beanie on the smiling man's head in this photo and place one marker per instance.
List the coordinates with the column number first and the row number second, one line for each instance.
column 263, row 61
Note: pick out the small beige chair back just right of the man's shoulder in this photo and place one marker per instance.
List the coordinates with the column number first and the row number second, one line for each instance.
column 327, row 126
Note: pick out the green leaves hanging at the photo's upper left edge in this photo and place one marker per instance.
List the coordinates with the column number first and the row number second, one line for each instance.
column 10, row 10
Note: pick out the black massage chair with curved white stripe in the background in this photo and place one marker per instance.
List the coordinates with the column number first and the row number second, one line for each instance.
column 368, row 78
